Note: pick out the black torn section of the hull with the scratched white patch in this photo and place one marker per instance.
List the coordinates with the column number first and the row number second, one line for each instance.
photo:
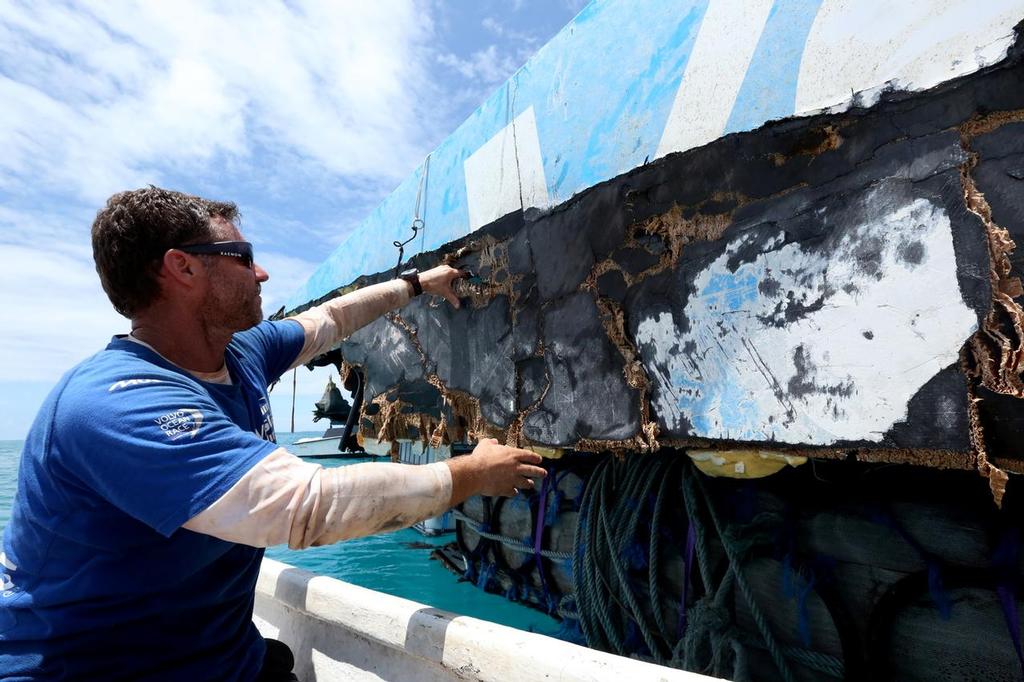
column 829, row 285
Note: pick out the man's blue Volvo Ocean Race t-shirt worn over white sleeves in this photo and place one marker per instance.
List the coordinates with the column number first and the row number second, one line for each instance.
column 100, row 581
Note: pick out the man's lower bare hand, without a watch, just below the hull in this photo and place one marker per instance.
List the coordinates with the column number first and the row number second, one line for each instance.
column 494, row 471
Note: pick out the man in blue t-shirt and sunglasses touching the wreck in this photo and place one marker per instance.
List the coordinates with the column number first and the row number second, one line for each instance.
column 151, row 480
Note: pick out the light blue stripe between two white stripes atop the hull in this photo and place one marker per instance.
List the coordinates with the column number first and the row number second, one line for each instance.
column 770, row 90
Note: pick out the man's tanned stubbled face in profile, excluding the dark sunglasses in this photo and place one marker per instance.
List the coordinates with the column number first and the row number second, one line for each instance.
column 233, row 301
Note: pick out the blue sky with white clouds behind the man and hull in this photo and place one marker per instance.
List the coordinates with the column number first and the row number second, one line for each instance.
column 305, row 114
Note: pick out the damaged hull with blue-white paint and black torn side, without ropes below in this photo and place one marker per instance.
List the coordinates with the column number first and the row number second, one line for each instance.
column 833, row 283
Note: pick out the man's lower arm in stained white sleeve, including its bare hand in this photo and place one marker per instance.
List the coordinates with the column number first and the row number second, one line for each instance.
column 286, row 500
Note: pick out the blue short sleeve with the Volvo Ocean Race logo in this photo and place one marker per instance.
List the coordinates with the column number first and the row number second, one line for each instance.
column 161, row 452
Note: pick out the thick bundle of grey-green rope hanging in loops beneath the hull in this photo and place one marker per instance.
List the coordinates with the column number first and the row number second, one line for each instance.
column 616, row 563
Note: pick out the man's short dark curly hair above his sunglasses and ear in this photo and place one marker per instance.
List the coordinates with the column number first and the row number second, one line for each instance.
column 134, row 232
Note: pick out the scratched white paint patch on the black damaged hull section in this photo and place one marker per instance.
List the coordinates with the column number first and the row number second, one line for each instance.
column 735, row 374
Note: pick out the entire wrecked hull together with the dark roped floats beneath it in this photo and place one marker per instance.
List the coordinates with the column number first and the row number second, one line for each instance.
column 782, row 242
